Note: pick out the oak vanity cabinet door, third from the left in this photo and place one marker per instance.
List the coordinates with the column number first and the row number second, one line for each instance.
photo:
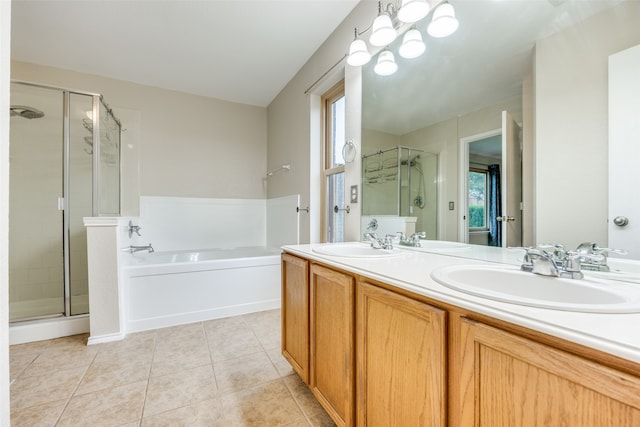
column 401, row 356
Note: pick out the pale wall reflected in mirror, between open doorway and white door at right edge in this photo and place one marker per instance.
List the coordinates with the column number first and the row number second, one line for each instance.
column 572, row 125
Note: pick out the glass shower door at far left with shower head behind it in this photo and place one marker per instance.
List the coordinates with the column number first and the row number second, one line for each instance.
column 36, row 247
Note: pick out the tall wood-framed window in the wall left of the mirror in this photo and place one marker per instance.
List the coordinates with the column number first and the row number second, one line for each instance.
column 333, row 170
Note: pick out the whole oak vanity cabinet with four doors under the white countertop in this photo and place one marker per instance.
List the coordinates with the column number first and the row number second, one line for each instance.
column 377, row 355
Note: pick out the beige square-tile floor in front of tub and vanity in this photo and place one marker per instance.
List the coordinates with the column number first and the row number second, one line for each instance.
column 225, row 372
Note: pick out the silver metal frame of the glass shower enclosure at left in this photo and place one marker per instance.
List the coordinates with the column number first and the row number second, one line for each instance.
column 96, row 99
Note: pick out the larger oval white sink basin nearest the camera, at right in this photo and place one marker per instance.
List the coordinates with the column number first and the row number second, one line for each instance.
column 509, row 284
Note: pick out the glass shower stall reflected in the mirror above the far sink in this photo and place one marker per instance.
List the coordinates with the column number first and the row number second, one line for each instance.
column 402, row 181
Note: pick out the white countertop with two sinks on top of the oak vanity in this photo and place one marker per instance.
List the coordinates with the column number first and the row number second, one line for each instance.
column 617, row 334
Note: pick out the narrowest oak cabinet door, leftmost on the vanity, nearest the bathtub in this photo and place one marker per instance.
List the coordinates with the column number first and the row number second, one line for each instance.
column 295, row 314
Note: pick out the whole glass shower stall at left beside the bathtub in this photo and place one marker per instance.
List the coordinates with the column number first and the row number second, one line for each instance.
column 64, row 166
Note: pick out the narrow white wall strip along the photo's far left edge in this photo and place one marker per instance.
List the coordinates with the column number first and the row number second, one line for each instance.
column 5, row 50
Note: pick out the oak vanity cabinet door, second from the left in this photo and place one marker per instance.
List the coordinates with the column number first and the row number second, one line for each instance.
column 332, row 342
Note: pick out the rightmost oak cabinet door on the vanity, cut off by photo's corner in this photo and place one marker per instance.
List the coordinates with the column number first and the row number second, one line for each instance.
column 507, row 380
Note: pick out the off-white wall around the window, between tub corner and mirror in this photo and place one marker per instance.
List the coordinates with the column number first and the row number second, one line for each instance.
column 293, row 131
